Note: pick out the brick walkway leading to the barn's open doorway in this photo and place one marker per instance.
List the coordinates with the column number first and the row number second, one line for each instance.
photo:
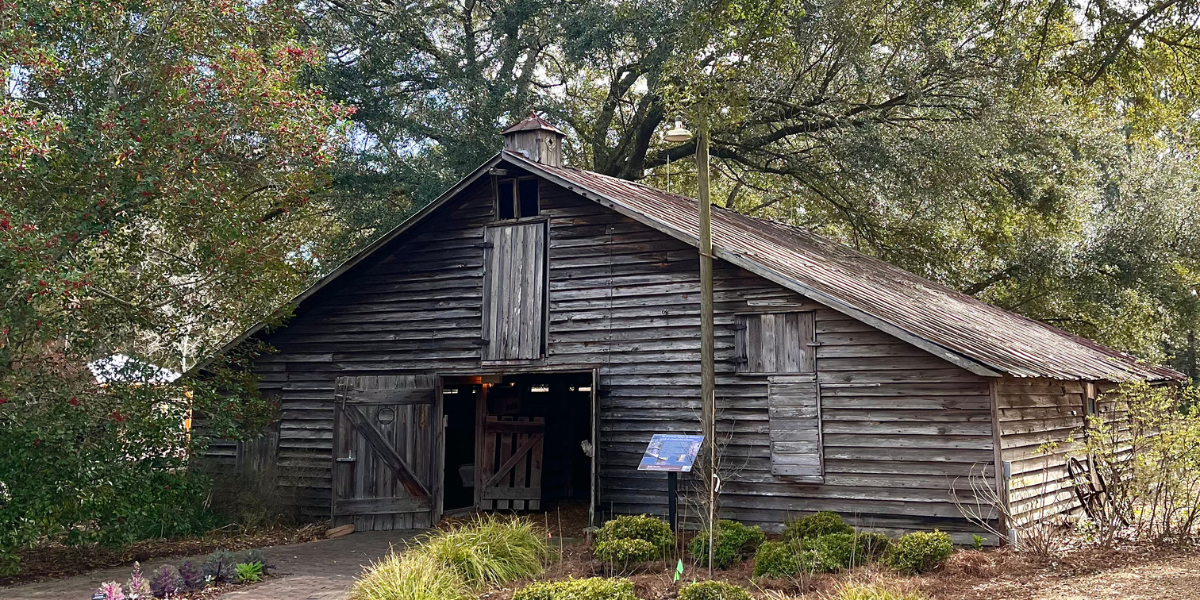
column 319, row 571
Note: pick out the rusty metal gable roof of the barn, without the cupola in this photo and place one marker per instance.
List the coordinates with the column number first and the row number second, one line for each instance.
column 964, row 331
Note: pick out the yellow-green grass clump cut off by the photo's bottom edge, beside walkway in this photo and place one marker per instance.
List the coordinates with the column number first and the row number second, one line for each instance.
column 410, row 577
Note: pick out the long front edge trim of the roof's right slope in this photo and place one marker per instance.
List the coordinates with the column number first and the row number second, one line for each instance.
column 758, row 268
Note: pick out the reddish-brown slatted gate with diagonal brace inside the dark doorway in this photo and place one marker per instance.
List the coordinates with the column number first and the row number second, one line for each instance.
column 512, row 459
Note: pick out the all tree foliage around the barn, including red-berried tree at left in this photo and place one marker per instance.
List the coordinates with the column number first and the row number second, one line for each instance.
column 173, row 171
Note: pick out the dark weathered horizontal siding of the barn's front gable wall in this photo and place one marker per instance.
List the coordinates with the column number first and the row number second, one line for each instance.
column 899, row 424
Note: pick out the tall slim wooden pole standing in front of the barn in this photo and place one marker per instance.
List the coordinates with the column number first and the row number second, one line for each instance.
column 707, row 367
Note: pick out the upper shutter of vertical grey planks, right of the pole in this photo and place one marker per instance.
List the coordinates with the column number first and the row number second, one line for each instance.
column 776, row 344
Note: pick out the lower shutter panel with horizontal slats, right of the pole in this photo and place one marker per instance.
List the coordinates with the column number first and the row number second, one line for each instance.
column 796, row 449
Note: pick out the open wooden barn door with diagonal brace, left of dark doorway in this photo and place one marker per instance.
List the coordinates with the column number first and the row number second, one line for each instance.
column 386, row 452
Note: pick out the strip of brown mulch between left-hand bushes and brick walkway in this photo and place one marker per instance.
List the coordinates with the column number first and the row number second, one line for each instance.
column 57, row 561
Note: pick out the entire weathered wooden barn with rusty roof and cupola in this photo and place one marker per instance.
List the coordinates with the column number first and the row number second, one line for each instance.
column 517, row 344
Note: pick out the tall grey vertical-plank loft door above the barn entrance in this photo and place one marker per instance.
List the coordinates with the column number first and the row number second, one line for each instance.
column 515, row 292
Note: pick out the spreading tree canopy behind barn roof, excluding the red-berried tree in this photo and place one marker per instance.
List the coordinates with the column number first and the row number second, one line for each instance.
column 1040, row 155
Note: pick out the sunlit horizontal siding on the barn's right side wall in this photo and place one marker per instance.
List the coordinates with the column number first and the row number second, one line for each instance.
column 1041, row 425
